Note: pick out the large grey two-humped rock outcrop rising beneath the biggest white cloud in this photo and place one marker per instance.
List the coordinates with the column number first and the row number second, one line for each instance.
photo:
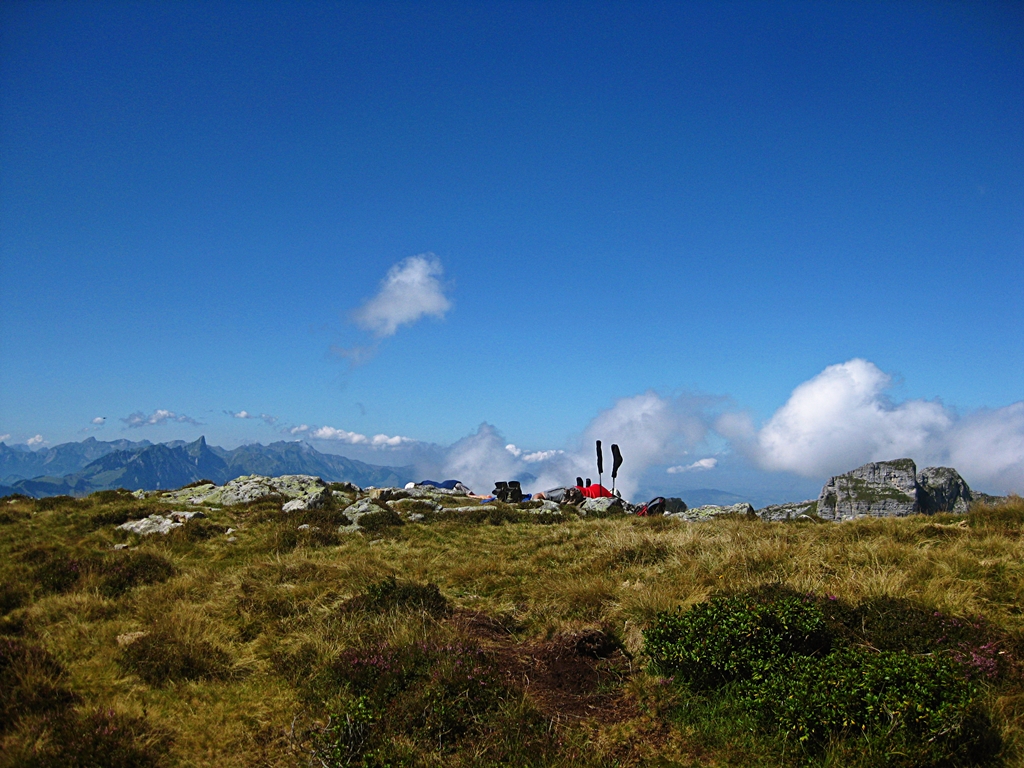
column 893, row 489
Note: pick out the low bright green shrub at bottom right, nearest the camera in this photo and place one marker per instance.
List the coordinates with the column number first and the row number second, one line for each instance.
column 913, row 711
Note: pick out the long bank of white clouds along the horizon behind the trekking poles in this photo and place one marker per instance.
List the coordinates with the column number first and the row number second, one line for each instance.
column 838, row 420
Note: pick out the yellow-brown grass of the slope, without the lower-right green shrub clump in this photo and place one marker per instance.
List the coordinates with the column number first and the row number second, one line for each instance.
column 263, row 618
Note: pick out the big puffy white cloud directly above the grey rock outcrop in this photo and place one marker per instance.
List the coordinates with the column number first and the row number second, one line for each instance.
column 842, row 419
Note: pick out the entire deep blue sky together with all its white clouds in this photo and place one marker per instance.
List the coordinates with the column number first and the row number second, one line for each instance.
column 781, row 239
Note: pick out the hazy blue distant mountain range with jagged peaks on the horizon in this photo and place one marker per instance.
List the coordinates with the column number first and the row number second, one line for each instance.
column 81, row 468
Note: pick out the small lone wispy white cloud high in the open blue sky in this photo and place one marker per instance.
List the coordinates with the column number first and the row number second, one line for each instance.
column 412, row 290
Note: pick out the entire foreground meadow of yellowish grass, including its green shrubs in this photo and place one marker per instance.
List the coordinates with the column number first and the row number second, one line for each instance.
column 505, row 637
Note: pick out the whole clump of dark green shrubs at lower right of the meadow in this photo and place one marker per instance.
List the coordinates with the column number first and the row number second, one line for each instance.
column 798, row 666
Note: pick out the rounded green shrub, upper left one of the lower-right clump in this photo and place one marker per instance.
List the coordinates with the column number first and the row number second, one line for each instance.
column 733, row 638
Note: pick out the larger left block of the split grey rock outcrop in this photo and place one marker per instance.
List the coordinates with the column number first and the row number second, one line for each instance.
column 879, row 490
